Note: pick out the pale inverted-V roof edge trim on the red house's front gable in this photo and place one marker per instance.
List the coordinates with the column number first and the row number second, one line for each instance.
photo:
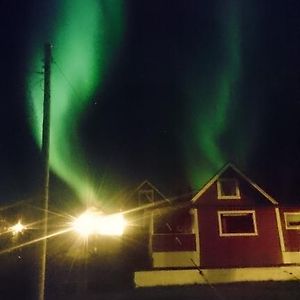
column 226, row 167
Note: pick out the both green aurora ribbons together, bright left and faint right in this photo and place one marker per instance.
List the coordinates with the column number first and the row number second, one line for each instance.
column 86, row 36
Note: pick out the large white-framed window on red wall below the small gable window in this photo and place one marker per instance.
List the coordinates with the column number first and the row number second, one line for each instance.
column 237, row 223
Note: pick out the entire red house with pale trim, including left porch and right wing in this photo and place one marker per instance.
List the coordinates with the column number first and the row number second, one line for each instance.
column 230, row 223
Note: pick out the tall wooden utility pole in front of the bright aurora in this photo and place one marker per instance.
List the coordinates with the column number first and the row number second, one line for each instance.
column 45, row 169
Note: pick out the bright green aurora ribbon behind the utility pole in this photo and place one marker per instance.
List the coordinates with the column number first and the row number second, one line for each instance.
column 85, row 36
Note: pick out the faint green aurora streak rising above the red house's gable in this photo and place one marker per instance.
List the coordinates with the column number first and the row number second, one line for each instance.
column 212, row 97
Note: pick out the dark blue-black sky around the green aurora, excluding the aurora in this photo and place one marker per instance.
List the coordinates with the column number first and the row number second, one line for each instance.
column 142, row 129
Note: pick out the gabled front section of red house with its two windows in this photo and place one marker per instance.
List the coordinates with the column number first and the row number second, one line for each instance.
column 237, row 223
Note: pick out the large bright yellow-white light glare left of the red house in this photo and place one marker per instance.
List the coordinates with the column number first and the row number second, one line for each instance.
column 94, row 223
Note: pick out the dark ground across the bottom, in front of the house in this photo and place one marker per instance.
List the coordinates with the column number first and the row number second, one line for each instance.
column 107, row 278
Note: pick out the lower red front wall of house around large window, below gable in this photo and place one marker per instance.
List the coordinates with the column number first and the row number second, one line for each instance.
column 262, row 249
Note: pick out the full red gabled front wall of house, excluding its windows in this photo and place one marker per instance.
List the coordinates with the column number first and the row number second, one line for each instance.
column 260, row 249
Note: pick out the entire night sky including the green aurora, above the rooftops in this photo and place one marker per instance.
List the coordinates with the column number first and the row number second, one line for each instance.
column 174, row 90
